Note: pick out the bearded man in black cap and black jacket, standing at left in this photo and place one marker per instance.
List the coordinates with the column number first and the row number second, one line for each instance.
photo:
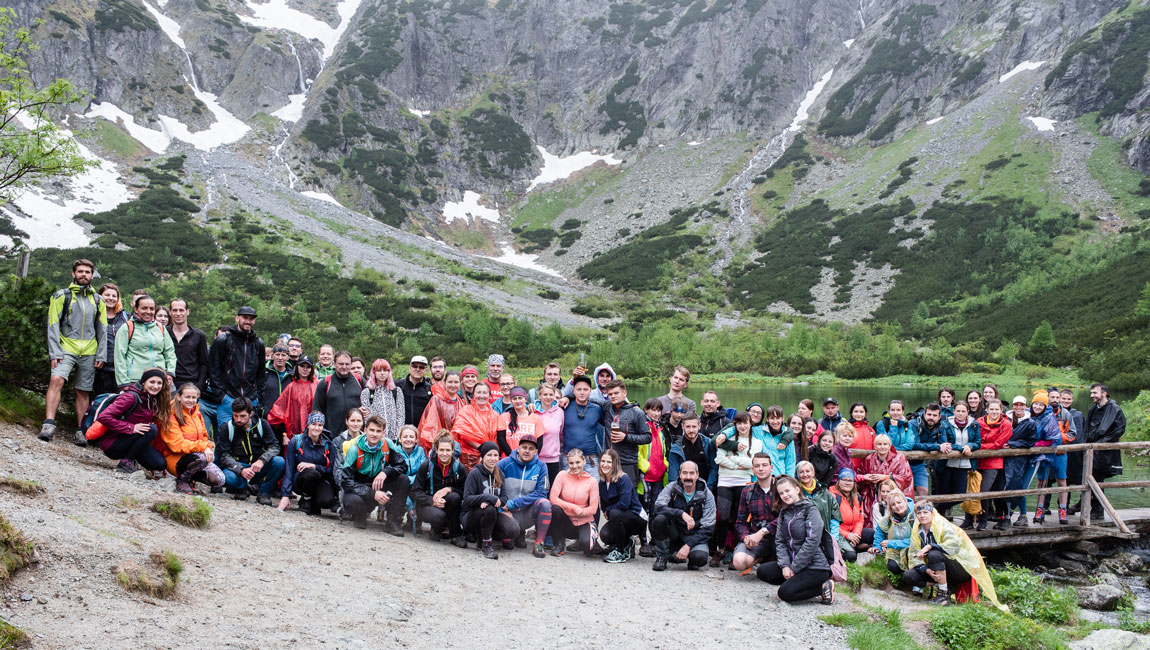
column 237, row 364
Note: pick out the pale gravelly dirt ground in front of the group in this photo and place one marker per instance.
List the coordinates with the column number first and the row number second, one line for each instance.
column 259, row 578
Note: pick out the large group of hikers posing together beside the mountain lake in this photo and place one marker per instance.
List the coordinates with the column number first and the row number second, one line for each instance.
column 474, row 457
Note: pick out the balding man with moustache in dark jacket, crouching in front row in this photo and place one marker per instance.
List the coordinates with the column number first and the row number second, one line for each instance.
column 685, row 517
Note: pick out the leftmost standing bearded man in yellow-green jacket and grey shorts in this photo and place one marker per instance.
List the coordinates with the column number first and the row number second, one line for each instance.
column 78, row 339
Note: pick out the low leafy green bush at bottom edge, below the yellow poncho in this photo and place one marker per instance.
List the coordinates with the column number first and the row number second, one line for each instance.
column 983, row 628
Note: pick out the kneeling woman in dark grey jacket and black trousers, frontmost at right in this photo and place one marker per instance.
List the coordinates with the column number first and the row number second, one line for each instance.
column 802, row 571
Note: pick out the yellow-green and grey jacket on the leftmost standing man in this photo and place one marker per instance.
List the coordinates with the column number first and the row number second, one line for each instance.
column 85, row 328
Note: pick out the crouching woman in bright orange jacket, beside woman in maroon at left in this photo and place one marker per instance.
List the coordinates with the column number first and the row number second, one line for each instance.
column 188, row 447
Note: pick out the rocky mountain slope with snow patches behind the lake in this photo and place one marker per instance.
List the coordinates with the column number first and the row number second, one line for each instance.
column 964, row 170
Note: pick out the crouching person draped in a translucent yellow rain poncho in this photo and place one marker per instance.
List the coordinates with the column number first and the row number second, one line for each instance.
column 942, row 554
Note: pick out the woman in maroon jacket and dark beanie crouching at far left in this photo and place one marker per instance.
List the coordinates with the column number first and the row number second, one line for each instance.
column 129, row 424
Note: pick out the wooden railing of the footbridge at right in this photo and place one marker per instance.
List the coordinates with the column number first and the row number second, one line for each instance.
column 1091, row 488
